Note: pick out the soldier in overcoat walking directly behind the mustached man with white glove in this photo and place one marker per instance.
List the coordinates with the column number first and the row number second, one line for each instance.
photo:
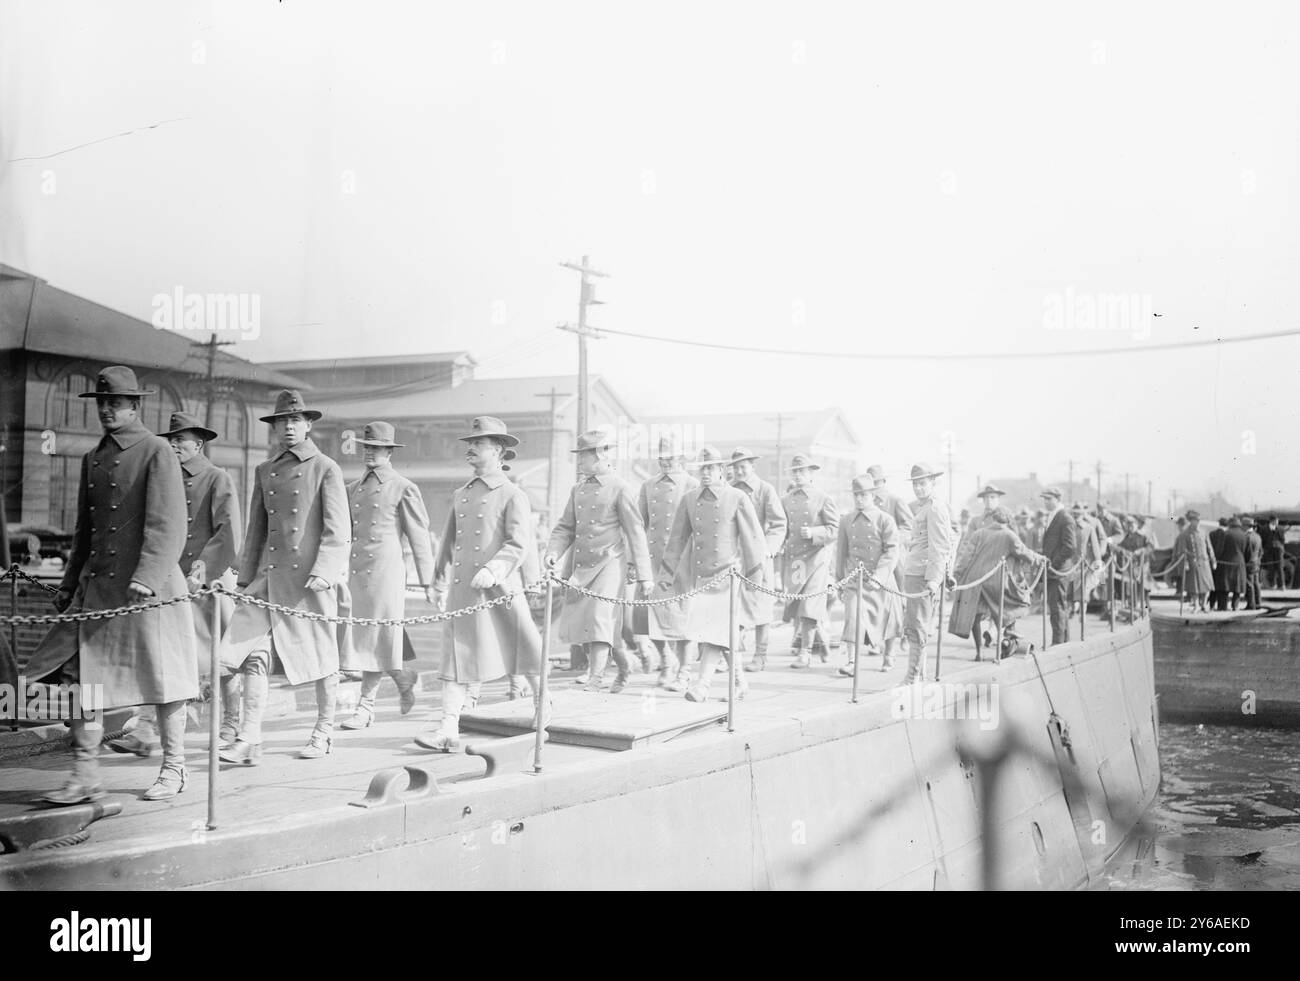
column 601, row 533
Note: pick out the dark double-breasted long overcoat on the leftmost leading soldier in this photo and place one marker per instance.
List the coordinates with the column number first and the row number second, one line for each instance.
column 131, row 527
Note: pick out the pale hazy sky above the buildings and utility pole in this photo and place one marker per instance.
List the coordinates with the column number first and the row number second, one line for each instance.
column 960, row 177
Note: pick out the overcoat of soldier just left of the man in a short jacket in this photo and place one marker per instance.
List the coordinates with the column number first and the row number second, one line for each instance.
column 872, row 539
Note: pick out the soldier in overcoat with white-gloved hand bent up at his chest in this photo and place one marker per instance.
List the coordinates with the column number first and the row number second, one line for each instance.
column 808, row 555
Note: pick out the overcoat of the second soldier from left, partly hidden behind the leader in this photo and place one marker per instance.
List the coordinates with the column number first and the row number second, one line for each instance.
column 214, row 535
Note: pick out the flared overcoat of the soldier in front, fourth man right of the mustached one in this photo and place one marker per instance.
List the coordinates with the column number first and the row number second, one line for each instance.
column 714, row 529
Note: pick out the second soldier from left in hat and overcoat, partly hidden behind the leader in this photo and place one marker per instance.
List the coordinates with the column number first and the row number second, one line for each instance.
column 213, row 540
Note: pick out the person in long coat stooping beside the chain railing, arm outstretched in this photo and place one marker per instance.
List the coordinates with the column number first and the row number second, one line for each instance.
column 990, row 546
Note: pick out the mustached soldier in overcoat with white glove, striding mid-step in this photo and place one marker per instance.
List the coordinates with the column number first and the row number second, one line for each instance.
column 488, row 552
